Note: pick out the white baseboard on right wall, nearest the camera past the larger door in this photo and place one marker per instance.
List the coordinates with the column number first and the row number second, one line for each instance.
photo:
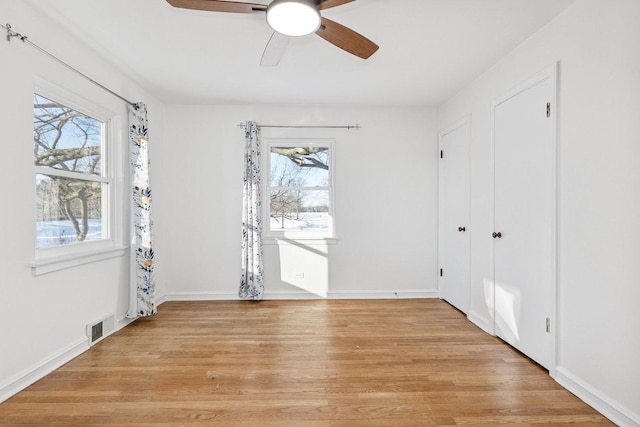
column 596, row 399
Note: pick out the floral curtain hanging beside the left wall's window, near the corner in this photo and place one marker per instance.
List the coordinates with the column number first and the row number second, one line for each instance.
column 142, row 301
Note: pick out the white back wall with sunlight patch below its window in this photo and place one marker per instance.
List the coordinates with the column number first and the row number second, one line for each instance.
column 385, row 201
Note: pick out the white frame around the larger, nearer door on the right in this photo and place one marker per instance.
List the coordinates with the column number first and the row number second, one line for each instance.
column 549, row 72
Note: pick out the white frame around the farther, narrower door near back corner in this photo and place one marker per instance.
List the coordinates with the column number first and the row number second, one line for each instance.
column 465, row 120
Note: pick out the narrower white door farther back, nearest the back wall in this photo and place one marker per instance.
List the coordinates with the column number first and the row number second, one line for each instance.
column 453, row 233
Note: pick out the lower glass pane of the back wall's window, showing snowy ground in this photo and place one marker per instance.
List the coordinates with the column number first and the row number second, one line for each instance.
column 299, row 210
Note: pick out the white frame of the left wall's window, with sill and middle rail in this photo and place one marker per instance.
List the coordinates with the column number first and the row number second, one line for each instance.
column 54, row 258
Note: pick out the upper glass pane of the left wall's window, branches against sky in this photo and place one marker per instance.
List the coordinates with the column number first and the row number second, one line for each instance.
column 66, row 139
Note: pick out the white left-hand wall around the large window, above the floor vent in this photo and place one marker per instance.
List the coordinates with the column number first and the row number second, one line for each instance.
column 43, row 318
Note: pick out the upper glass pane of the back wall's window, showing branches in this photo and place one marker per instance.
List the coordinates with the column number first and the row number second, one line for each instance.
column 299, row 167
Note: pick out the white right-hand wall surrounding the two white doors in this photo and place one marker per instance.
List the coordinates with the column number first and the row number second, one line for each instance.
column 598, row 323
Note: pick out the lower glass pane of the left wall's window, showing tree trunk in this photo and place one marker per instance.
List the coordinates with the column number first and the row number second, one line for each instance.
column 68, row 211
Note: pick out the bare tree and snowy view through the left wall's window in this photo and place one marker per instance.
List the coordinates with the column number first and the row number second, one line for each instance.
column 69, row 182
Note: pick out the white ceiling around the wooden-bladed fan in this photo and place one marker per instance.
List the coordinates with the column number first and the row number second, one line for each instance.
column 429, row 49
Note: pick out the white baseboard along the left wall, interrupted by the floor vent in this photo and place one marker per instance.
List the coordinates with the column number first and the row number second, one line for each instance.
column 29, row 376
